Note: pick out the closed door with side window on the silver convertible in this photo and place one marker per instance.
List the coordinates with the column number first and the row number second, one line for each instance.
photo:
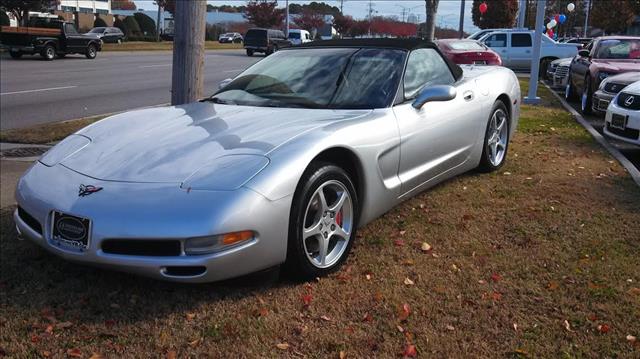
column 439, row 136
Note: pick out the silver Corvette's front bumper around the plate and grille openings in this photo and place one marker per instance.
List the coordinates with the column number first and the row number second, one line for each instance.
column 152, row 211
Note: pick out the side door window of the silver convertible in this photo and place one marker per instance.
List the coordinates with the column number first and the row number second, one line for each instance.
column 425, row 67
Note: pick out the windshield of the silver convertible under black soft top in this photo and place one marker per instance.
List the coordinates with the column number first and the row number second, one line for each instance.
column 340, row 78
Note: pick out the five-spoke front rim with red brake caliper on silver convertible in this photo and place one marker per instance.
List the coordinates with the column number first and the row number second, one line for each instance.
column 328, row 224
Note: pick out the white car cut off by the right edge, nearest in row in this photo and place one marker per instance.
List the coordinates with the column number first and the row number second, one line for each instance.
column 622, row 120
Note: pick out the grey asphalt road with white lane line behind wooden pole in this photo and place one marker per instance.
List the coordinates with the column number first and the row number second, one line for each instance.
column 33, row 91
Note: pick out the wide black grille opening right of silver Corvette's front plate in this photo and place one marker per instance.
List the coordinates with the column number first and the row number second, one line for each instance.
column 141, row 247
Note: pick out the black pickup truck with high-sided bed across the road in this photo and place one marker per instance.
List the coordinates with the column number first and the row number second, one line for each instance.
column 48, row 39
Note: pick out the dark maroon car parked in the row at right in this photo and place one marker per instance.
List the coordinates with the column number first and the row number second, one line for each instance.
column 605, row 56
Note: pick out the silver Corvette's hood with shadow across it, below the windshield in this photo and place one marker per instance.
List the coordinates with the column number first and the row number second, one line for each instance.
column 169, row 144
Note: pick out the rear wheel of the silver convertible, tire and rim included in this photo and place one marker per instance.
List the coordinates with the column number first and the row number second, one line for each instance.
column 496, row 139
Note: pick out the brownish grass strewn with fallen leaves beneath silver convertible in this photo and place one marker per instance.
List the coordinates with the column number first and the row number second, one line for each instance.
column 539, row 260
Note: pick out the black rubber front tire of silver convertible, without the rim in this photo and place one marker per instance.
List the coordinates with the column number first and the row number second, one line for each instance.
column 298, row 263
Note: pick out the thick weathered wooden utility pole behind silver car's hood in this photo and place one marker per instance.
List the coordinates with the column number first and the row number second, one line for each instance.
column 187, row 81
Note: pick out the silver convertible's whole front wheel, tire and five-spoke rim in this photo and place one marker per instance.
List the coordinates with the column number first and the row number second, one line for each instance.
column 322, row 223
